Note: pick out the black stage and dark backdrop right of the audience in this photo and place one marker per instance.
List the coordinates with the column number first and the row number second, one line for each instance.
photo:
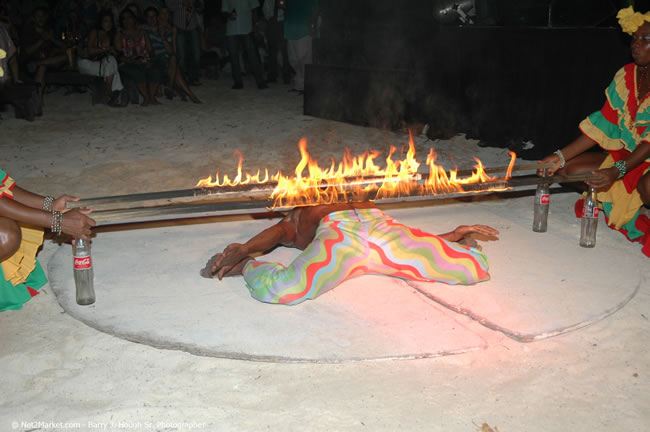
column 526, row 70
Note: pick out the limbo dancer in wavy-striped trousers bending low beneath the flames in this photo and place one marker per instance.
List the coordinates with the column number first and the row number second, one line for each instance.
column 342, row 241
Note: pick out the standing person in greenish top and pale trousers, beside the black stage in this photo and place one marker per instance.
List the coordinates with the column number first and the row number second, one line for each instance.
column 299, row 25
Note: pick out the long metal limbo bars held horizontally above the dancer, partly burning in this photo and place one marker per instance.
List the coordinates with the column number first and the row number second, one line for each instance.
column 257, row 198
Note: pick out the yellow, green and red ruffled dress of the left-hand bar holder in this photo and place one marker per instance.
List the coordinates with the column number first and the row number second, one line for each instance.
column 21, row 273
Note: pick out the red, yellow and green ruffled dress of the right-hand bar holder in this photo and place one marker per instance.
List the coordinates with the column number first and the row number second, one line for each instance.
column 621, row 124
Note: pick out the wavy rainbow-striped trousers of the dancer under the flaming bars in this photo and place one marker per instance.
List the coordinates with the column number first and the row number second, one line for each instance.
column 352, row 243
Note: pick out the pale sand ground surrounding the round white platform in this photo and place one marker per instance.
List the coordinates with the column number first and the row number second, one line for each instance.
column 56, row 369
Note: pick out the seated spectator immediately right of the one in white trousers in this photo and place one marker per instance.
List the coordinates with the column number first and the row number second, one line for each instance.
column 137, row 59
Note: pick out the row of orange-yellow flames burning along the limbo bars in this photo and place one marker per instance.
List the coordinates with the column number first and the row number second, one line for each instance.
column 356, row 178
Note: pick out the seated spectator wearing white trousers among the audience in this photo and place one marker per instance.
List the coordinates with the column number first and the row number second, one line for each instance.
column 98, row 57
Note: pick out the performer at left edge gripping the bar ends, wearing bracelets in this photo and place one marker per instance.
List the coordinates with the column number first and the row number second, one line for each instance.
column 23, row 215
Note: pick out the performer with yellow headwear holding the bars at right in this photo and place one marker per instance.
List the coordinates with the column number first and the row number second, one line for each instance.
column 621, row 129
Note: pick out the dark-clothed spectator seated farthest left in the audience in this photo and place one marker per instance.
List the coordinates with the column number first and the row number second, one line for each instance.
column 41, row 50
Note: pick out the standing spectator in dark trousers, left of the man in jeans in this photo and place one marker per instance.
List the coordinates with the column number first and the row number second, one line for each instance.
column 187, row 20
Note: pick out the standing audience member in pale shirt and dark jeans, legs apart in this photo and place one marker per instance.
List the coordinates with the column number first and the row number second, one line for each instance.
column 239, row 15
